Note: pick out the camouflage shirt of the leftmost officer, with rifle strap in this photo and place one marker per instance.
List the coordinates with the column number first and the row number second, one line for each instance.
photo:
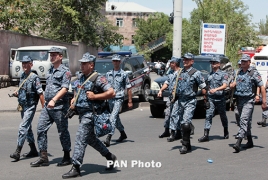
column 29, row 92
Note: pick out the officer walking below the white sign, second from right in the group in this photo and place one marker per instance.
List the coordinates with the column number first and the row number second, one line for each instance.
column 216, row 83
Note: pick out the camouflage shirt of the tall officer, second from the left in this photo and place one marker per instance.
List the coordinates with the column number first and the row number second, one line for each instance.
column 57, row 79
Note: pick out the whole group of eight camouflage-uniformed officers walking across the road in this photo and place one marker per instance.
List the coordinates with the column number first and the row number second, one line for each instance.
column 89, row 96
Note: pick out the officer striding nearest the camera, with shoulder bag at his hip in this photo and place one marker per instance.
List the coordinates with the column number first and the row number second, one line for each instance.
column 85, row 102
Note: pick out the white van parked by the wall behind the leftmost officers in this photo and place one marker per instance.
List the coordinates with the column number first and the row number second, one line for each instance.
column 41, row 60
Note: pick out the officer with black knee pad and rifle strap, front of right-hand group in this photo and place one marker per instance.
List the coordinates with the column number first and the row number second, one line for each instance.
column 190, row 79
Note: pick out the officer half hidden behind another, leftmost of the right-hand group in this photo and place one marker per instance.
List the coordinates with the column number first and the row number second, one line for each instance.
column 171, row 121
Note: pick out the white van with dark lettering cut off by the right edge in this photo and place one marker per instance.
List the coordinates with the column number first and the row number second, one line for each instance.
column 260, row 61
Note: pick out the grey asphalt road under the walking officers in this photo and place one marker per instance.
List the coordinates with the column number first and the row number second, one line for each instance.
column 145, row 148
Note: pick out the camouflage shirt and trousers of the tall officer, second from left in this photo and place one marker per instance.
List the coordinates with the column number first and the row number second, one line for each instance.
column 56, row 80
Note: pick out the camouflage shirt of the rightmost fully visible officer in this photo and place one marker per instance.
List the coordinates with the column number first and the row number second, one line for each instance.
column 245, row 82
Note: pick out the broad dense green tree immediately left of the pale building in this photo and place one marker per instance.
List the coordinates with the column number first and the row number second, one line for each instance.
column 81, row 21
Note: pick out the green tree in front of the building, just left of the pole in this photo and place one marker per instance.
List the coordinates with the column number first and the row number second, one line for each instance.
column 152, row 28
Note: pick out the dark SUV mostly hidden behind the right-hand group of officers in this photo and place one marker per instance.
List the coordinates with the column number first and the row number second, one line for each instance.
column 158, row 104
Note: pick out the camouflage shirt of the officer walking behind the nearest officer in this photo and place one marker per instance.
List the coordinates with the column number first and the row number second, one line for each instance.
column 119, row 81
